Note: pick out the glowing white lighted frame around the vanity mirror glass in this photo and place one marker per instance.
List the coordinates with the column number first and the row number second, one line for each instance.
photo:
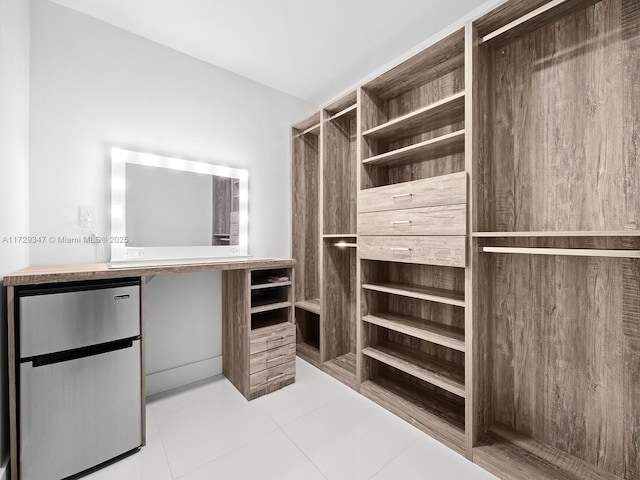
column 121, row 253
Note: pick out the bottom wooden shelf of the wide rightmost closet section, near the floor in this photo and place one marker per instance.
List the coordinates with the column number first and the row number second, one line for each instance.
column 510, row 454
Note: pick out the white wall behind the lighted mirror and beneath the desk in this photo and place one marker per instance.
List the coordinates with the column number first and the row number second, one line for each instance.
column 94, row 86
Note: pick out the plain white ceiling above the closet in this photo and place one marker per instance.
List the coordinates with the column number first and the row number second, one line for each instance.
column 311, row 49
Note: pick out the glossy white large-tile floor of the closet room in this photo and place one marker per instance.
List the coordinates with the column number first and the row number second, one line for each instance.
column 314, row 429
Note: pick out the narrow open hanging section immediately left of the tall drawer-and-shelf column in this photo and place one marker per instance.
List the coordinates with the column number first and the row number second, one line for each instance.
column 339, row 239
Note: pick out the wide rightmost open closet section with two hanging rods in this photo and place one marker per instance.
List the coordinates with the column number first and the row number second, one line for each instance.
column 555, row 240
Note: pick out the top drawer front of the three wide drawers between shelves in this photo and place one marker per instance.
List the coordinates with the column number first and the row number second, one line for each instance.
column 429, row 192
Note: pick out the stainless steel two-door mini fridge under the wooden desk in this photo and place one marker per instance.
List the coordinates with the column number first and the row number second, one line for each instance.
column 80, row 377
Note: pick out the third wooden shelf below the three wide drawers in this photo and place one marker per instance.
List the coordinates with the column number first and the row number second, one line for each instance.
column 433, row 370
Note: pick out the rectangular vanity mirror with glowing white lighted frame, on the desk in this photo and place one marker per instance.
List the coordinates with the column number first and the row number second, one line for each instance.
column 169, row 210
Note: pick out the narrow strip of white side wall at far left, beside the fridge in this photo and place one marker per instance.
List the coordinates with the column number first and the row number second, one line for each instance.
column 14, row 166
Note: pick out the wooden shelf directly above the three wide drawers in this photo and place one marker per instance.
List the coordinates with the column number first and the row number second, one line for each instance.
column 438, row 147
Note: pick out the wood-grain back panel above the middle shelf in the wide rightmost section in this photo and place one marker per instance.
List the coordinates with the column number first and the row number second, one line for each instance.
column 563, row 84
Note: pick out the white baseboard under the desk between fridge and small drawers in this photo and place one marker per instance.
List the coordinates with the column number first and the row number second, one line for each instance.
column 183, row 375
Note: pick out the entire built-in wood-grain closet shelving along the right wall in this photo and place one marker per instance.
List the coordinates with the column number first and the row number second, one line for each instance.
column 477, row 245
